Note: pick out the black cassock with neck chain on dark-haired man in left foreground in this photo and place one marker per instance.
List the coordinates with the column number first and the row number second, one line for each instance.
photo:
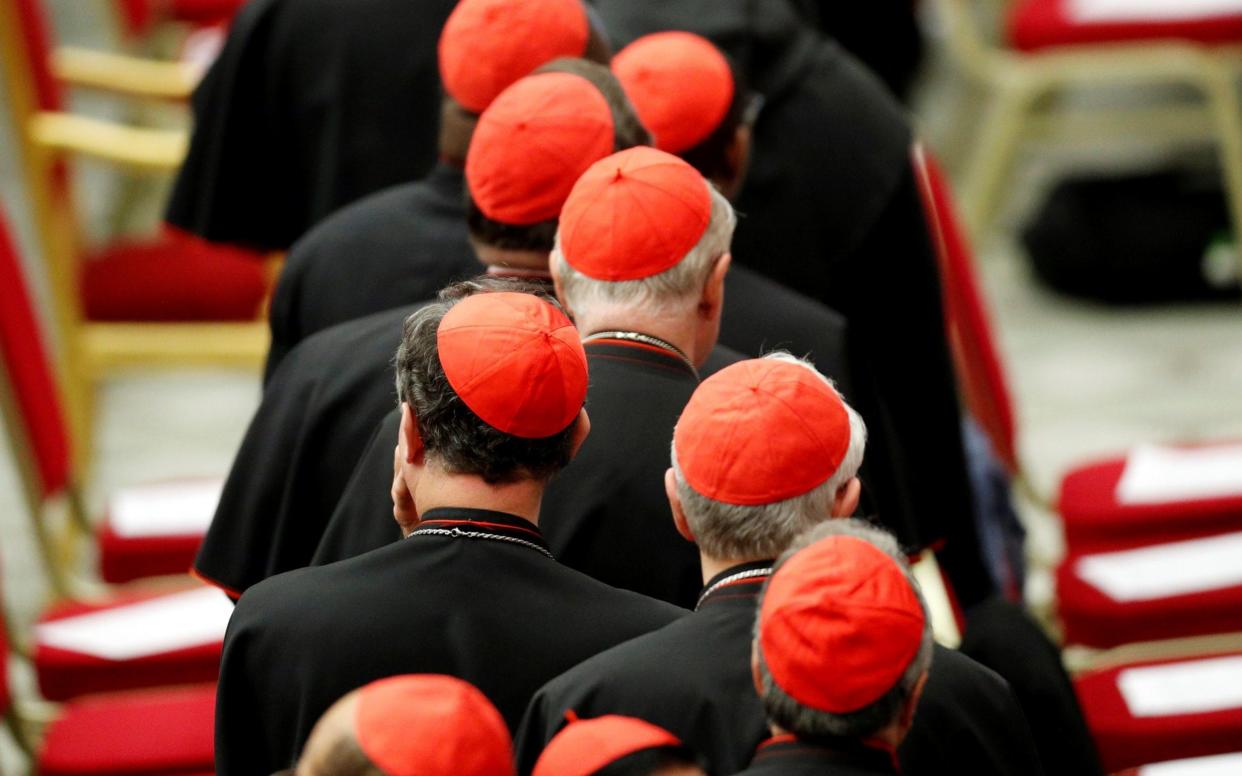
column 471, row 594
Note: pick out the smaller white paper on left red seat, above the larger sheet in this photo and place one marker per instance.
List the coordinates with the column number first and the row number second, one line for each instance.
column 166, row 510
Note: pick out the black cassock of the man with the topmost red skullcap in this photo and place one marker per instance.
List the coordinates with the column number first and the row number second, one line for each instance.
column 388, row 250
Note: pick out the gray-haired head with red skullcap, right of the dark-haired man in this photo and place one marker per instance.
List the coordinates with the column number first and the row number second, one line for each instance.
column 761, row 454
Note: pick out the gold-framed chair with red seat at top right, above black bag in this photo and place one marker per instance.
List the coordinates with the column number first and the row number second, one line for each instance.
column 1059, row 45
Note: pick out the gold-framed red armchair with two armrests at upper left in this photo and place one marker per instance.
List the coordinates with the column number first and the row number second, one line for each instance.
column 171, row 300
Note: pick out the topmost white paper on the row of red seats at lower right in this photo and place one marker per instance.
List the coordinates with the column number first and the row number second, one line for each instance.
column 1161, row 475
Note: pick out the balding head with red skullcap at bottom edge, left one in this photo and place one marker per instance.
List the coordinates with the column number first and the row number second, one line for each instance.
column 410, row 726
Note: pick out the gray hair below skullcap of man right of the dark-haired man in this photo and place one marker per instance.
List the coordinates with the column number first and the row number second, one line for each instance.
column 732, row 531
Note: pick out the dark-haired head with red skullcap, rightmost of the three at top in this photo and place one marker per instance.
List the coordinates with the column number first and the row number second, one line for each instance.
column 690, row 96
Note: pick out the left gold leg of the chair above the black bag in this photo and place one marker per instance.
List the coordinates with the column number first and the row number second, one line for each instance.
column 994, row 156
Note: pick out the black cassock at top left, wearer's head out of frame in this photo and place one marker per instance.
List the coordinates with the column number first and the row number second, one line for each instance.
column 312, row 105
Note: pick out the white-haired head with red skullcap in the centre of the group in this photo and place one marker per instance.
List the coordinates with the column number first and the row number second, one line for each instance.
column 641, row 229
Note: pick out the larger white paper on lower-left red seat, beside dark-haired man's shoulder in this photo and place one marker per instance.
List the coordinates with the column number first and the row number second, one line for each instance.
column 161, row 625
